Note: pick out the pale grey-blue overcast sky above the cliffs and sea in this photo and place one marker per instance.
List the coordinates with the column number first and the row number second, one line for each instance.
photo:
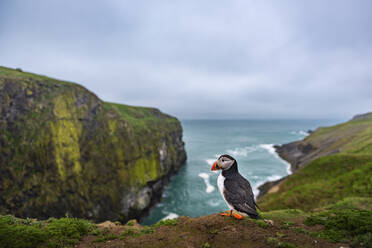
column 201, row 59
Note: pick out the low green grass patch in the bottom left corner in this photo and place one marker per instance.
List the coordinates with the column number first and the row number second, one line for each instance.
column 64, row 232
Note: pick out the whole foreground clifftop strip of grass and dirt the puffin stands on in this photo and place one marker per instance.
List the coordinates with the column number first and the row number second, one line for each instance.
column 339, row 225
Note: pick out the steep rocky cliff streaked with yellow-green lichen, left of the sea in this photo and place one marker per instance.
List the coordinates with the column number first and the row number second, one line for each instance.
column 64, row 151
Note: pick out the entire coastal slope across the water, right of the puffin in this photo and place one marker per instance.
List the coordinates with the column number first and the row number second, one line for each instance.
column 329, row 165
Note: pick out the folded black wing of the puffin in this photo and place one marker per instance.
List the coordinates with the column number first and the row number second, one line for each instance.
column 238, row 193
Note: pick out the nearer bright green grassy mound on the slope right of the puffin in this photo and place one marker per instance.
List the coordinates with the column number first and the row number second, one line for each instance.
column 322, row 182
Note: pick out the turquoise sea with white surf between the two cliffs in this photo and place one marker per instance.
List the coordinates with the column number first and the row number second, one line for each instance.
column 193, row 191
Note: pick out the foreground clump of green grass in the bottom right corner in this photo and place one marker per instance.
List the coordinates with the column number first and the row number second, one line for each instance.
column 346, row 221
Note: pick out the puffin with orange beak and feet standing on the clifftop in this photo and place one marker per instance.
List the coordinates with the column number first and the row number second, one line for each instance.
column 235, row 189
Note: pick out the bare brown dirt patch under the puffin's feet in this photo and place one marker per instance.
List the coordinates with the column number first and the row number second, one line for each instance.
column 218, row 231
